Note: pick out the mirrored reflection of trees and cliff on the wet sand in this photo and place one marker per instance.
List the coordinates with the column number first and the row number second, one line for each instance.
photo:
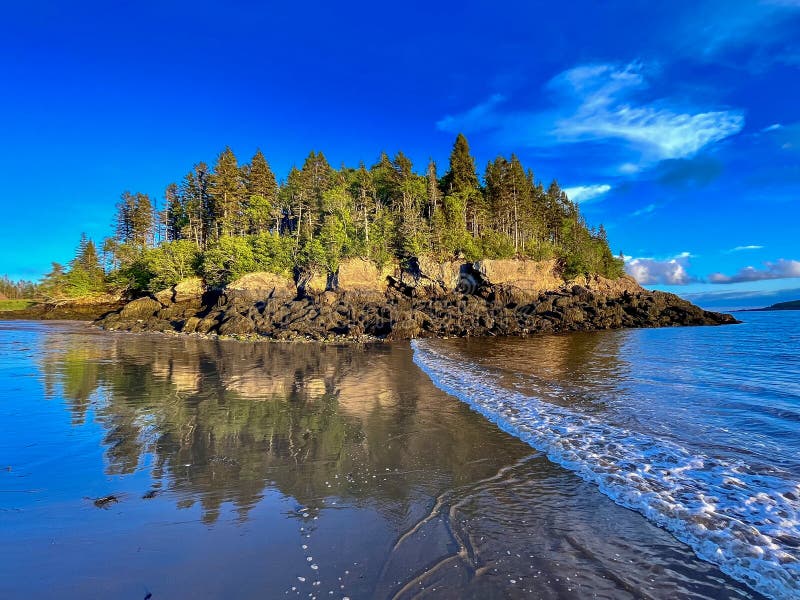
column 220, row 421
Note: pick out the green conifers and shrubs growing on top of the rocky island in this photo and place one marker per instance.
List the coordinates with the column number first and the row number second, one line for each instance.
column 222, row 221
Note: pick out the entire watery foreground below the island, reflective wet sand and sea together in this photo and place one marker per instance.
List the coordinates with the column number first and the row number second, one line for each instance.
column 626, row 464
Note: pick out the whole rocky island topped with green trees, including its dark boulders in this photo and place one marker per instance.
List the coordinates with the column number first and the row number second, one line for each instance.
column 356, row 253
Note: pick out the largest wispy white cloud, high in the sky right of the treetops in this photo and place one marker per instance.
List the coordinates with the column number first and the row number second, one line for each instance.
column 601, row 103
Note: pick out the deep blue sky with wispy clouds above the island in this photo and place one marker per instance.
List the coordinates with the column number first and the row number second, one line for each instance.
column 677, row 124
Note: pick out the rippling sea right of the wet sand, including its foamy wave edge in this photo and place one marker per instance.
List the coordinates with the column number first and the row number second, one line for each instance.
column 697, row 429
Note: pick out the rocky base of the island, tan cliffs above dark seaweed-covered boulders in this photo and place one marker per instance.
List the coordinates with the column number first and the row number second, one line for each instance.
column 422, row 299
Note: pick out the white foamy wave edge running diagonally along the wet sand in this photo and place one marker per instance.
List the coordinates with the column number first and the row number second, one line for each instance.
column 744, row 521
